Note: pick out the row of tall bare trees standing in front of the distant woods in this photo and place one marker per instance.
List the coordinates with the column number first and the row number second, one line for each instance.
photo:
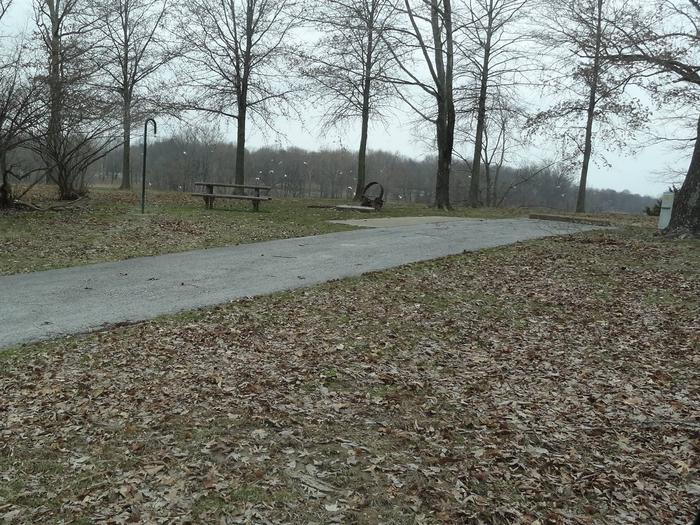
column 72, row 87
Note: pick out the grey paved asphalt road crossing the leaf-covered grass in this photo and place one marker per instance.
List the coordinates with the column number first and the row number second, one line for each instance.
column 48, row 304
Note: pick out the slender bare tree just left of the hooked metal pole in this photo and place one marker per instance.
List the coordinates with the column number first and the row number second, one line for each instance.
column 133, row 49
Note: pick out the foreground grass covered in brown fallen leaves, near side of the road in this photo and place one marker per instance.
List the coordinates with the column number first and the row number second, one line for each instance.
column 557, row 381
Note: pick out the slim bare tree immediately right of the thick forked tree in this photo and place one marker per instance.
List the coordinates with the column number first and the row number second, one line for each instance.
column 489, row 48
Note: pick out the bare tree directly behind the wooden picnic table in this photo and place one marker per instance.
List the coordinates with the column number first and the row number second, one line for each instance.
column 236, row 52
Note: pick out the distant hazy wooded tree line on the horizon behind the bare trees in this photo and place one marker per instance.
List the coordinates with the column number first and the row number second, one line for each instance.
column 180, row 161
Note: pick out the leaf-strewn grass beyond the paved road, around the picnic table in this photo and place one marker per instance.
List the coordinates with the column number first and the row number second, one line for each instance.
column 109, row 226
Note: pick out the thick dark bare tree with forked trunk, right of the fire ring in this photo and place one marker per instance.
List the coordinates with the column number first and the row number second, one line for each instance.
column 429, row 35
